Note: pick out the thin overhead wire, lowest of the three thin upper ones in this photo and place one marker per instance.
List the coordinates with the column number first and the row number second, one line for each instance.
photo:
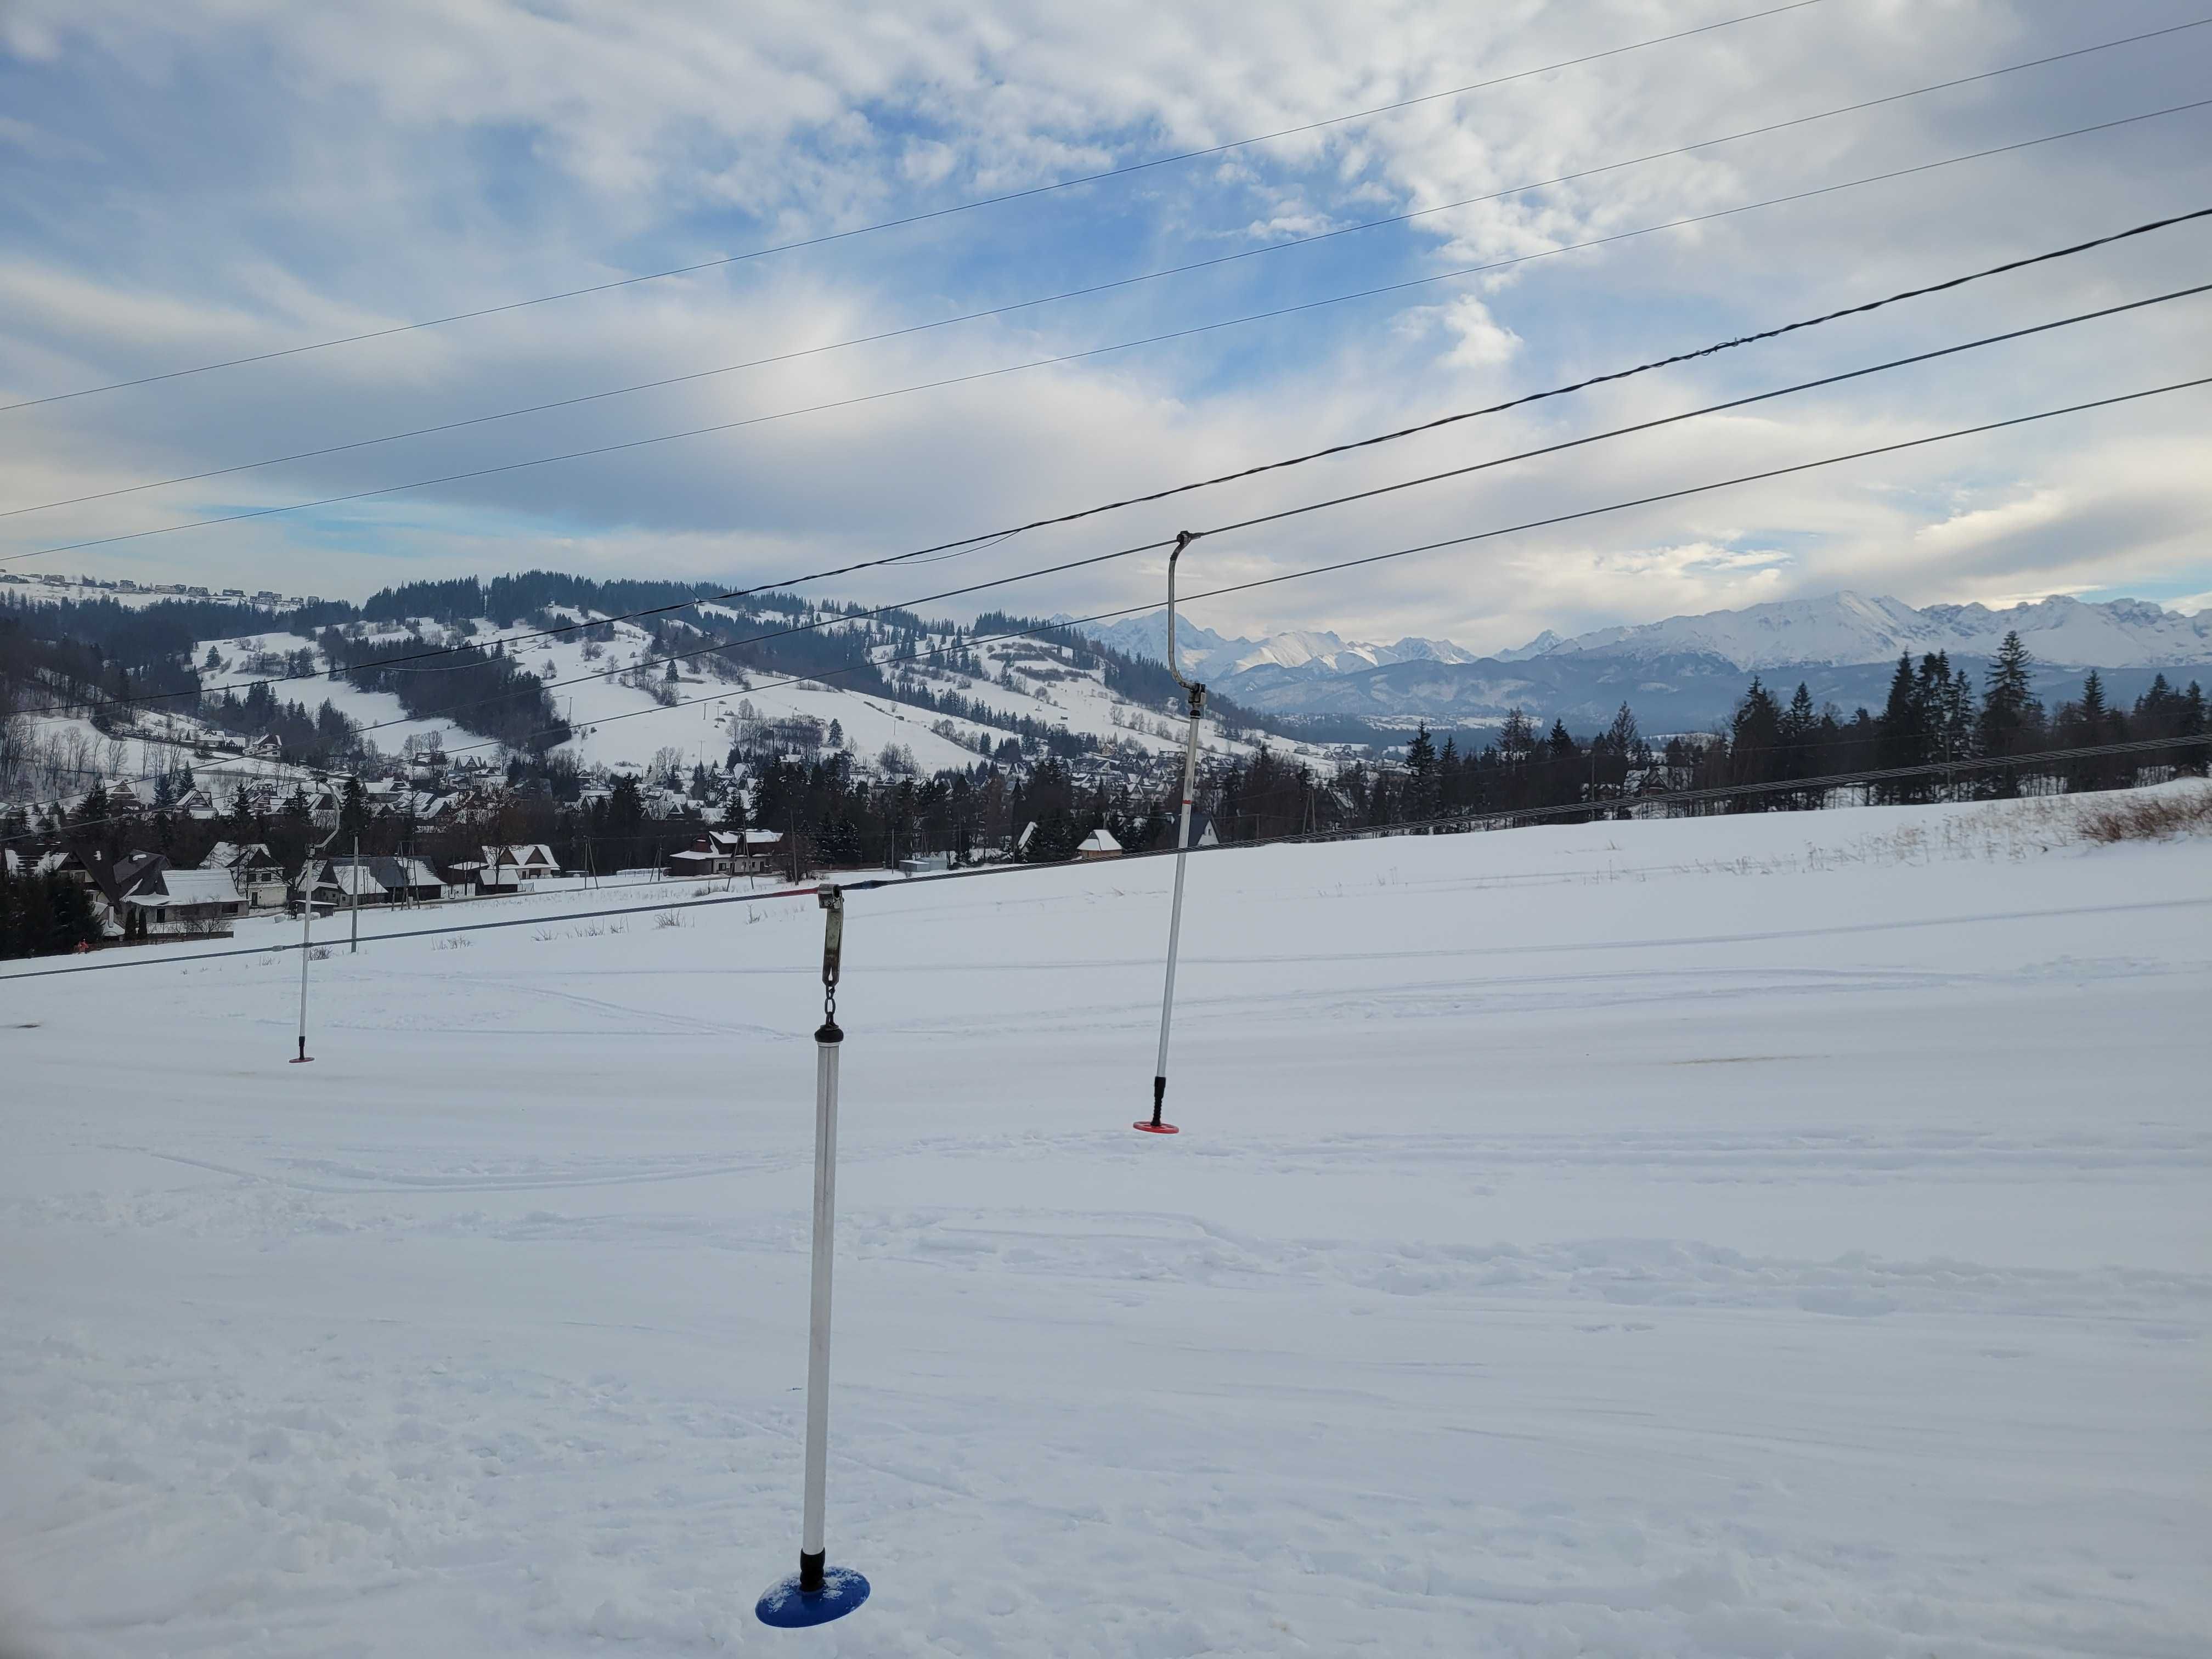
column 1100, row 351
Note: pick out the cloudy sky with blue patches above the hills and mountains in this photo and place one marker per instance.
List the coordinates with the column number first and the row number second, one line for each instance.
column 227, row 178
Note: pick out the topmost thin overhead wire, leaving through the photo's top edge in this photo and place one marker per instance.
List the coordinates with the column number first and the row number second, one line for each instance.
column 917, row 218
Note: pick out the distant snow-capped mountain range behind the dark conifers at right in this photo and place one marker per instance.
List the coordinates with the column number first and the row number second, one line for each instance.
column 1682, row 671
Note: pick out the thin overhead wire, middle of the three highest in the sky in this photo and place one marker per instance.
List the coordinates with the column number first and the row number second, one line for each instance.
column 1092, row 289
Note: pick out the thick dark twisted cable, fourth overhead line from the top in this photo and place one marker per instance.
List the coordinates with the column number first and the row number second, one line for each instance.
column 399, row 665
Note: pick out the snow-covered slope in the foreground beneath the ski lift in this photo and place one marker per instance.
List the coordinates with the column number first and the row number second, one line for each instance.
column 1738, row 1238
